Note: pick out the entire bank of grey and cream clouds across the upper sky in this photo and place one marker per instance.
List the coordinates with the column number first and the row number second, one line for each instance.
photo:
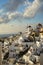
column 31, row 9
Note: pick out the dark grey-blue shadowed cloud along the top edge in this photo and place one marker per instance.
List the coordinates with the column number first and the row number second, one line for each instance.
column 13, row 4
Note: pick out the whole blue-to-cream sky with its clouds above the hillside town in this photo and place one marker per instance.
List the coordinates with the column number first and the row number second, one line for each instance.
column 16, row 14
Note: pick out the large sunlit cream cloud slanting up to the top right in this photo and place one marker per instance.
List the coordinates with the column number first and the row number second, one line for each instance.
column 32, row 10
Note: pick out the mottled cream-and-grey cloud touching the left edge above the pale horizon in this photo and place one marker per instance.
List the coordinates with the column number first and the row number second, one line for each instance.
column 10, row 16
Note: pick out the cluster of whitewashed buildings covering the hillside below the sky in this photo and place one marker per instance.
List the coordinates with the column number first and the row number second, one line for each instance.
column 24, row 48
